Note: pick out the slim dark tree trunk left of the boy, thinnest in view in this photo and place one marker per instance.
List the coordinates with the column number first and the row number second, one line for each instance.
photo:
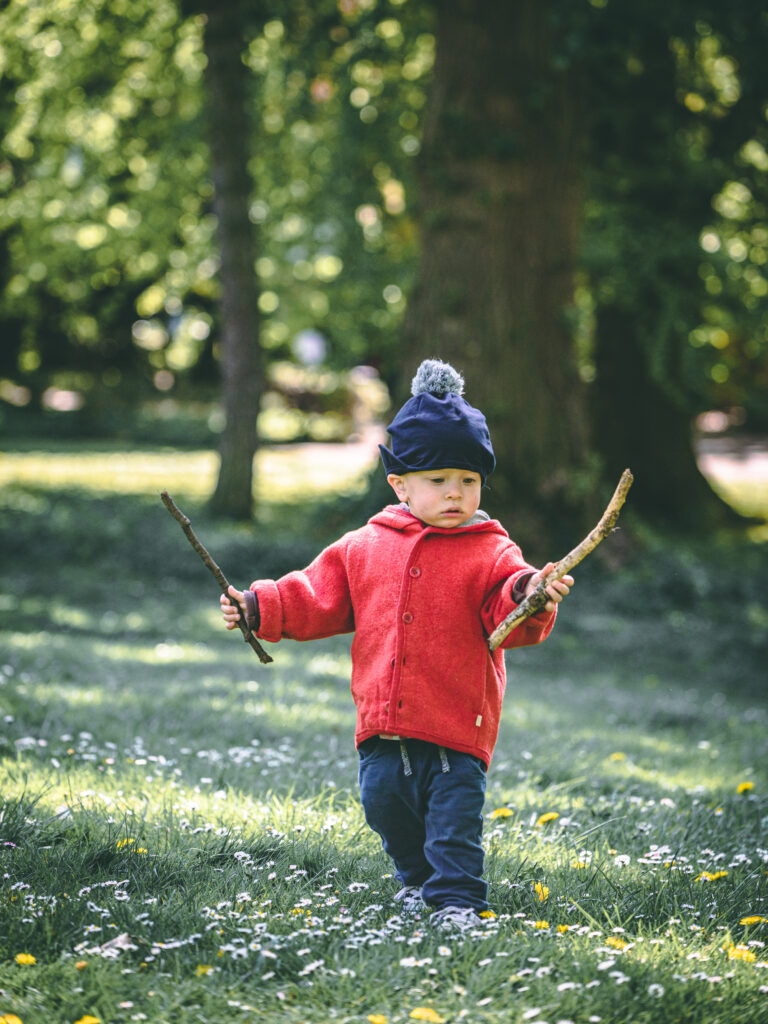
column 227, row 80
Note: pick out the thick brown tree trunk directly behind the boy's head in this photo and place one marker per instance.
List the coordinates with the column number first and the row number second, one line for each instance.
column 500, row 195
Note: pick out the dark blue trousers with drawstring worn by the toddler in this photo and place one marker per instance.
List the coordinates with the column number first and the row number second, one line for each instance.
column 431, row 822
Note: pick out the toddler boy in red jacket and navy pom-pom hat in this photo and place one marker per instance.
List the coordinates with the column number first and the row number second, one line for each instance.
column 422, row 585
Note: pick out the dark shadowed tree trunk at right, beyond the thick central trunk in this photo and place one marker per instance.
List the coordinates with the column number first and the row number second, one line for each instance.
column 646, row 281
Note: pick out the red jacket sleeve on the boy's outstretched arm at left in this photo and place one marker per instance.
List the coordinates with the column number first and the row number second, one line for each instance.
column 308, row 605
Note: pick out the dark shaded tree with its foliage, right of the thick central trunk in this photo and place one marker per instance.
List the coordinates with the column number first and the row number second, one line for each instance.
column 695, row 81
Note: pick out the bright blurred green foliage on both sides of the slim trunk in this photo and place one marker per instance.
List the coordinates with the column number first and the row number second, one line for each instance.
column 106, row 225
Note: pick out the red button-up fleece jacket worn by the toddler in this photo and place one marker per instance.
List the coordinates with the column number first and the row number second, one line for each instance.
column 422, row 602
